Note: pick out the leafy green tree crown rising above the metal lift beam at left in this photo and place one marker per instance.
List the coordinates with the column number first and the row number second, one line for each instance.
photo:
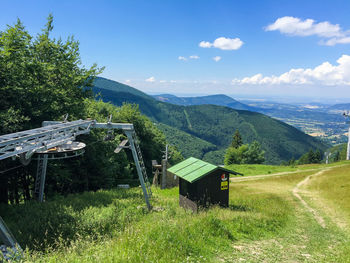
column 41, row 78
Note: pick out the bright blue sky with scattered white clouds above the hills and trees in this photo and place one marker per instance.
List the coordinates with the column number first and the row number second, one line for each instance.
column 242, row 48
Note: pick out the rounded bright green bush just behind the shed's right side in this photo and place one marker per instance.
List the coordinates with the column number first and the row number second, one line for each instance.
column 245, row 154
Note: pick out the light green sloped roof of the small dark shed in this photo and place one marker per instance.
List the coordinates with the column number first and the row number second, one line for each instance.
column 193, row 169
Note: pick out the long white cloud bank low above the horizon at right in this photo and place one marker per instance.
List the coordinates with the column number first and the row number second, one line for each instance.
column 324, row 74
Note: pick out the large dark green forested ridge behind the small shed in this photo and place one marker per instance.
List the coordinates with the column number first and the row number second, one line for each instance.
column 214, row 125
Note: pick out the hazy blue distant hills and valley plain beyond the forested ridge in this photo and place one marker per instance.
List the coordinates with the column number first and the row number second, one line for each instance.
column 318, row 120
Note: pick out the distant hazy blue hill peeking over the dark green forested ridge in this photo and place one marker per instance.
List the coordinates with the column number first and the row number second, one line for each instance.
column 219, row 99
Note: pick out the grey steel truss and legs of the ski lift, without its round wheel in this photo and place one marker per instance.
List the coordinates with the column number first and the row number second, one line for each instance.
column 53, row 134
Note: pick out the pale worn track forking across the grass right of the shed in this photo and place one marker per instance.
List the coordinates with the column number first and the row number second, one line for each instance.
column 308, row 239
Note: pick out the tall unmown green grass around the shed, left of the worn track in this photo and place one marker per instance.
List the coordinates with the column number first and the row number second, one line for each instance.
column 113, row 226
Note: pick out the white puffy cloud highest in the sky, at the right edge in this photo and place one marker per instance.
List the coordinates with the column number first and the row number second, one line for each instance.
column 331, row 34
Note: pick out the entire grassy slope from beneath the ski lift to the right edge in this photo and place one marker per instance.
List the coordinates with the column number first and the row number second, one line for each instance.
column 264, row 223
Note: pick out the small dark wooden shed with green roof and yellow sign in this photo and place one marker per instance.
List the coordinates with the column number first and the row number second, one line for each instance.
column 202, row 184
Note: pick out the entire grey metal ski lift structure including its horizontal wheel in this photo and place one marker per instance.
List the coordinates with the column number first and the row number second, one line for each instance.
column 56, row 140
